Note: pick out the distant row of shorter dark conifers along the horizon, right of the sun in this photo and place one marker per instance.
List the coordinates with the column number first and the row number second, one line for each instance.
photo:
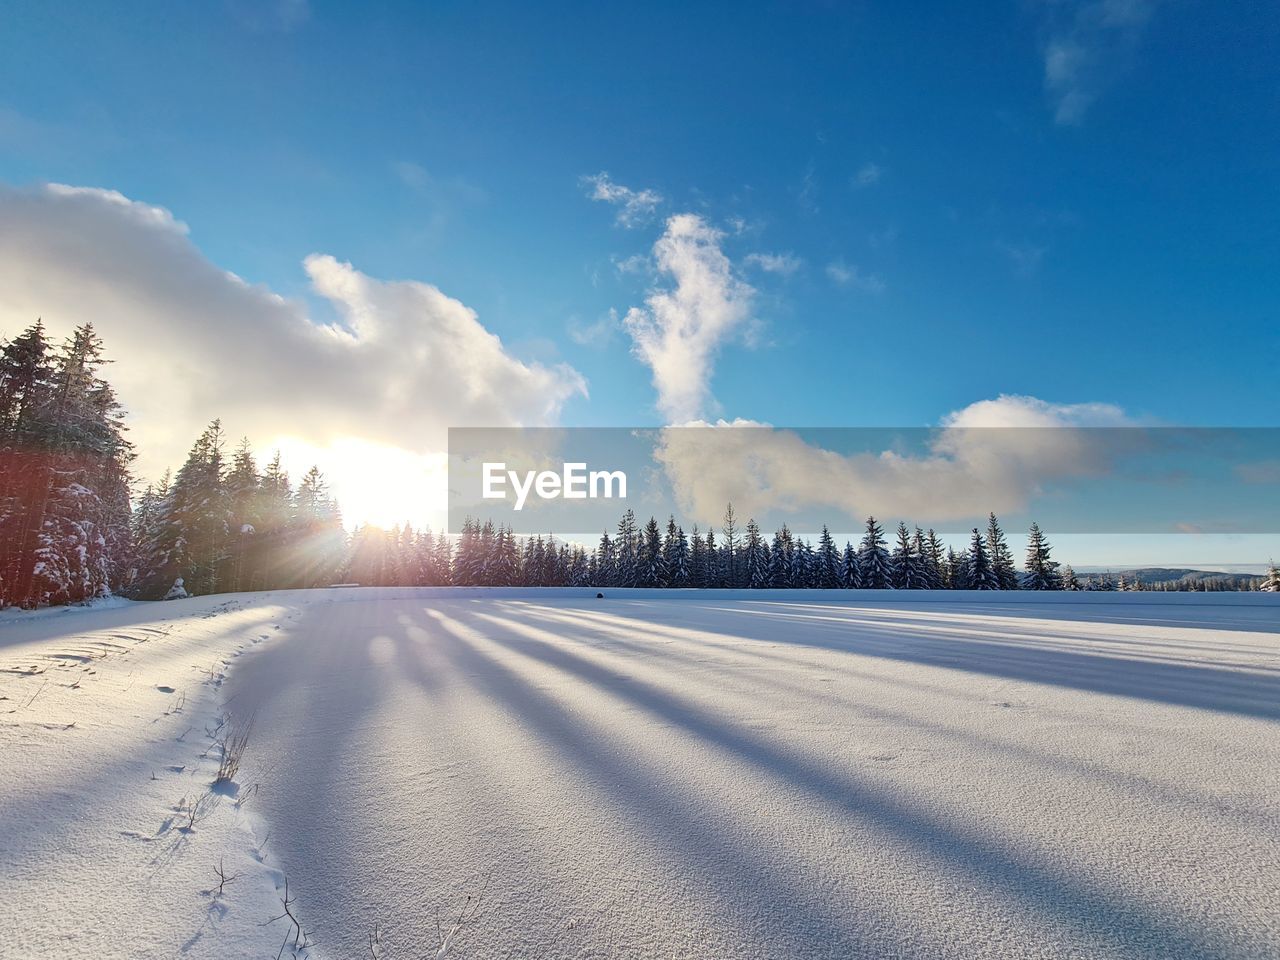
column 655, row 556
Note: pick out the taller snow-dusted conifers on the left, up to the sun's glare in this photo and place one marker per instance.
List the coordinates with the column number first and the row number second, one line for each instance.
column 72, row 532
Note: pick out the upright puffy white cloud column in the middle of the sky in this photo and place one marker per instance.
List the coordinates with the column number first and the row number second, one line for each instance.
column 680, row 330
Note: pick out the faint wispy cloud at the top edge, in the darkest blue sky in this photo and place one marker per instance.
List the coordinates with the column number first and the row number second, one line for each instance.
column 1089, row 45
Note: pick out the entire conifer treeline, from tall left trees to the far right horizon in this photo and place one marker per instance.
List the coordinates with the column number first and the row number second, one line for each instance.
column 71, row 529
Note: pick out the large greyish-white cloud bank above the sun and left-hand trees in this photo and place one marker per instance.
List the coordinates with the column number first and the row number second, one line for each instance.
column 194, row 342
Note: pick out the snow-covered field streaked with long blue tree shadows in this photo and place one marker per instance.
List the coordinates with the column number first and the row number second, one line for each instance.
column 847, row 775
